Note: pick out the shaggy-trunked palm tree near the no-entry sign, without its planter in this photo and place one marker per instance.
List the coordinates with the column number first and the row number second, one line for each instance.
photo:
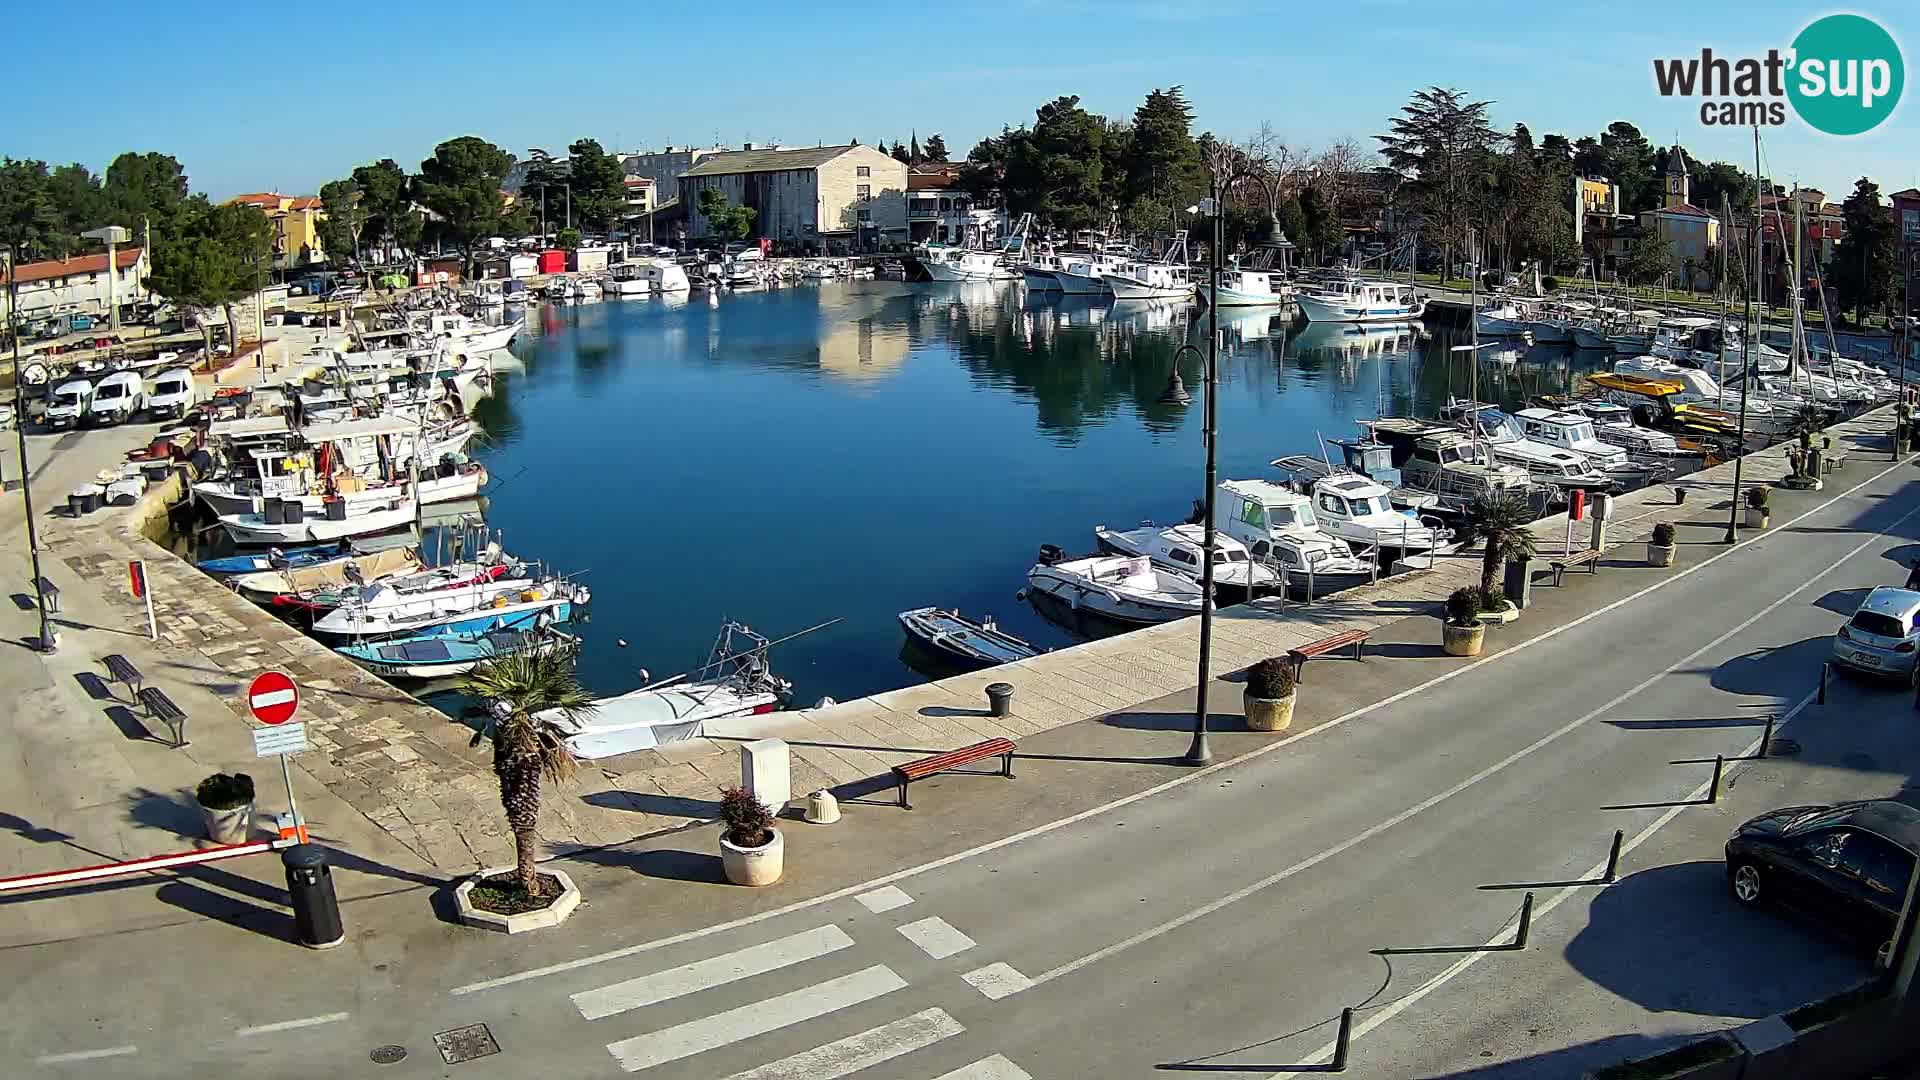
column 529, row 749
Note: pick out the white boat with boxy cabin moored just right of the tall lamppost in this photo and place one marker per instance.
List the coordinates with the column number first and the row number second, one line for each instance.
column 1282, row 531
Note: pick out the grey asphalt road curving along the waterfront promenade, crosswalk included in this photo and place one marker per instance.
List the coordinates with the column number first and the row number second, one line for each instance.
column 1220, row 925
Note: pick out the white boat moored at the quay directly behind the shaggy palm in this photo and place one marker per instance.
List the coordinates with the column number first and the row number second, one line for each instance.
column 732, row 683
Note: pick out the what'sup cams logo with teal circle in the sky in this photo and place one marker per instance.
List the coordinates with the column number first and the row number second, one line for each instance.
column 1842, row 76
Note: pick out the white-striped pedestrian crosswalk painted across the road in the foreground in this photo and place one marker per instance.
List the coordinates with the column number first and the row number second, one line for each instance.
column 732, row 977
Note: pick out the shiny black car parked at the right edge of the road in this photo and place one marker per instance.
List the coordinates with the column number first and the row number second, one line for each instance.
column 1846, row 866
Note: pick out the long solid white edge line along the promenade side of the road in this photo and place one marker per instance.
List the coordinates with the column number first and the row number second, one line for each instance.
column 1180, row 781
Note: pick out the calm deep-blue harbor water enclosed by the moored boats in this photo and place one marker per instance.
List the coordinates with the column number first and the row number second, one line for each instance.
column 855, row 451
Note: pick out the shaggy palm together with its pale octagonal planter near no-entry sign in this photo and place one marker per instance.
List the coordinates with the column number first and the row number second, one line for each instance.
column 531, row 697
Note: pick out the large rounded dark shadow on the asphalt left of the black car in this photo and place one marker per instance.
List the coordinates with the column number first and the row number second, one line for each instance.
column 1673, row 941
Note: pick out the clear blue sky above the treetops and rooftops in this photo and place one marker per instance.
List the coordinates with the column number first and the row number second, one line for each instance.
column 287, row 97
